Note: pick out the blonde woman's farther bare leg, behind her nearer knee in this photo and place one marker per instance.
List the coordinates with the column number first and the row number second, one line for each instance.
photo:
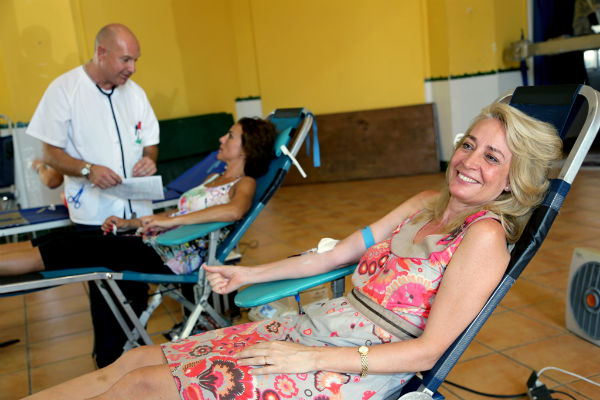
column 98, row 382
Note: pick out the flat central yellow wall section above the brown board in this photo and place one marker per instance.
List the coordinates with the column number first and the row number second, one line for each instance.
column 339, row 55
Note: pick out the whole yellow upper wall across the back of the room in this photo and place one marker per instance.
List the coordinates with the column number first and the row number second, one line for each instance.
column 198, row 56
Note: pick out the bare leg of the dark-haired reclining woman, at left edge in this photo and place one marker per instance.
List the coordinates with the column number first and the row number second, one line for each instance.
column 20, row 258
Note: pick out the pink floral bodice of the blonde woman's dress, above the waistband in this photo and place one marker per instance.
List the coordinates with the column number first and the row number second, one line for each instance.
column 403, row 276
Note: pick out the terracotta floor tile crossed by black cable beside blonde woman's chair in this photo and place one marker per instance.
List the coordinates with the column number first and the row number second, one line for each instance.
column 493, row 373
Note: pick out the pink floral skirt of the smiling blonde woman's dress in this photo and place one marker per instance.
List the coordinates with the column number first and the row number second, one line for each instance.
column 203, row 365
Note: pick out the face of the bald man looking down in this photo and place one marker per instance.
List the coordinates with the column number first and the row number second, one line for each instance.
column 118, row 58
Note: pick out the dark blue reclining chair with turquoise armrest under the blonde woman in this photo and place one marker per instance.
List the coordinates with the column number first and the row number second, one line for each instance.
column 573, row 110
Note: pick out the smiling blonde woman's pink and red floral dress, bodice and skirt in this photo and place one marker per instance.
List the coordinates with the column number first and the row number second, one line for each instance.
column 204, row 368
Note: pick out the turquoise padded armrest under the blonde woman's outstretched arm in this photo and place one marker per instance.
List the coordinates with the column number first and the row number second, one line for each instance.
column 263, row 293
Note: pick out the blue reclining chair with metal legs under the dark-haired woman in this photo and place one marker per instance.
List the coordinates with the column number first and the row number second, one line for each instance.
column 290, row 123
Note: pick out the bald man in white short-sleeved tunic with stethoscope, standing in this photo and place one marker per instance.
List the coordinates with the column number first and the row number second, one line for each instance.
column 98, row 128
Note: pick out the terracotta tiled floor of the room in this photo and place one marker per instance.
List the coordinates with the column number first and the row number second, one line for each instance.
column 526, row 332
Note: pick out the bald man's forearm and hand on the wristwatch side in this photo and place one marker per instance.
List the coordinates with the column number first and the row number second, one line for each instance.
column 57, row 158
